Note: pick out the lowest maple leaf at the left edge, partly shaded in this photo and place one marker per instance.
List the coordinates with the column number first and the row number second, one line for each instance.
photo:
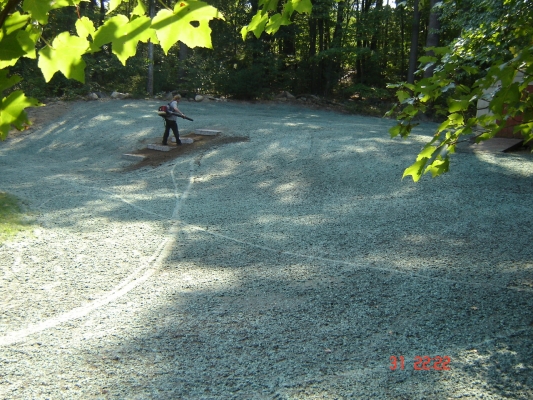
column 12, row 112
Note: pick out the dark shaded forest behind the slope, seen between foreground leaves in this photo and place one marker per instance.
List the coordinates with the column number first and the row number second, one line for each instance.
column 347, row 50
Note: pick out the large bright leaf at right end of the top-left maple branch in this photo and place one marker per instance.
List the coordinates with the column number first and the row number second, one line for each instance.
column 172, row 26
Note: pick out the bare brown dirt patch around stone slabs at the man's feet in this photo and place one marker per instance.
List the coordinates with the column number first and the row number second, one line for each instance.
column 155, row 158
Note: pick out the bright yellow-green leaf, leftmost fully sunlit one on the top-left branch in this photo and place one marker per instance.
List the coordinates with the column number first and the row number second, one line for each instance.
column 65, row 56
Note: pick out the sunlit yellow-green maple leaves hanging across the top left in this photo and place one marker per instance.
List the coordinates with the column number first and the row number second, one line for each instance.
column 22, row 24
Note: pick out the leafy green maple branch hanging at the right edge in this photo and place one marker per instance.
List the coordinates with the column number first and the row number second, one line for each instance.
column 497, row 56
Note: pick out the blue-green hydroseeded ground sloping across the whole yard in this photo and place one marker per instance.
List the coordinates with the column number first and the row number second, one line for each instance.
column 292, row 265
